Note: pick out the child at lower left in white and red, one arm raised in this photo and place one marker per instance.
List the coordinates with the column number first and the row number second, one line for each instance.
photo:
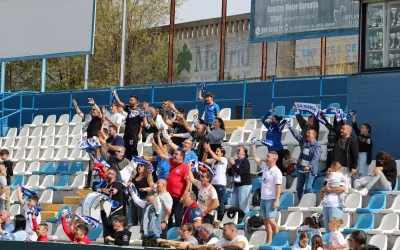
column 28, row 207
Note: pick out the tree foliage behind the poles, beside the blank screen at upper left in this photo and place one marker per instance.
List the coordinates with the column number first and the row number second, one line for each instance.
column 146, row 56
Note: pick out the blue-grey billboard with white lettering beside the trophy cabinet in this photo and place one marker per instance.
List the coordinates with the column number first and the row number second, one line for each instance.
column 280, row 20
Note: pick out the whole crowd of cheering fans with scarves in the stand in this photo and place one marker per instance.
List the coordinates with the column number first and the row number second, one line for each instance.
column 188, row 177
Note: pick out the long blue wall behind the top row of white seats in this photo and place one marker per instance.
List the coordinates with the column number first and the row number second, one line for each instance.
column 228, row 94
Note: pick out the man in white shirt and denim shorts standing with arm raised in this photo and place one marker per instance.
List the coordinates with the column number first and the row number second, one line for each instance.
column 270, row 191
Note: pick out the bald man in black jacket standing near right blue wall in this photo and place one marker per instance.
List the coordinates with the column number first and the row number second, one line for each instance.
column 346, row 153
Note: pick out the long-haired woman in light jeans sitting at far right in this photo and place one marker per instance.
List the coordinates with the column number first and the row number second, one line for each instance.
column 383, row 179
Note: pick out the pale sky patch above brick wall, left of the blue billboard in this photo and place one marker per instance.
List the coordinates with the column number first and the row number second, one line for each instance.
column 193, row 10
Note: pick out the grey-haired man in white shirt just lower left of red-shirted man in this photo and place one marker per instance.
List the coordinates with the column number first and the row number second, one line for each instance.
column 166, row 205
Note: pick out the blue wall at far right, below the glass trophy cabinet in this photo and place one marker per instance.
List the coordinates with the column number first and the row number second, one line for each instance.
column 377, row 101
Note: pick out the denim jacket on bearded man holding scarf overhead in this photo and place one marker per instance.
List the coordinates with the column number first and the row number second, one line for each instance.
column 315, row 151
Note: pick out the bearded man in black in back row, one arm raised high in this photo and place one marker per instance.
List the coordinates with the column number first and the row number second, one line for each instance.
column 133, row 124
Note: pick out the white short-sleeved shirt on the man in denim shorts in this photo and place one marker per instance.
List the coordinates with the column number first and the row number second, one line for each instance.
column 270, row 178
